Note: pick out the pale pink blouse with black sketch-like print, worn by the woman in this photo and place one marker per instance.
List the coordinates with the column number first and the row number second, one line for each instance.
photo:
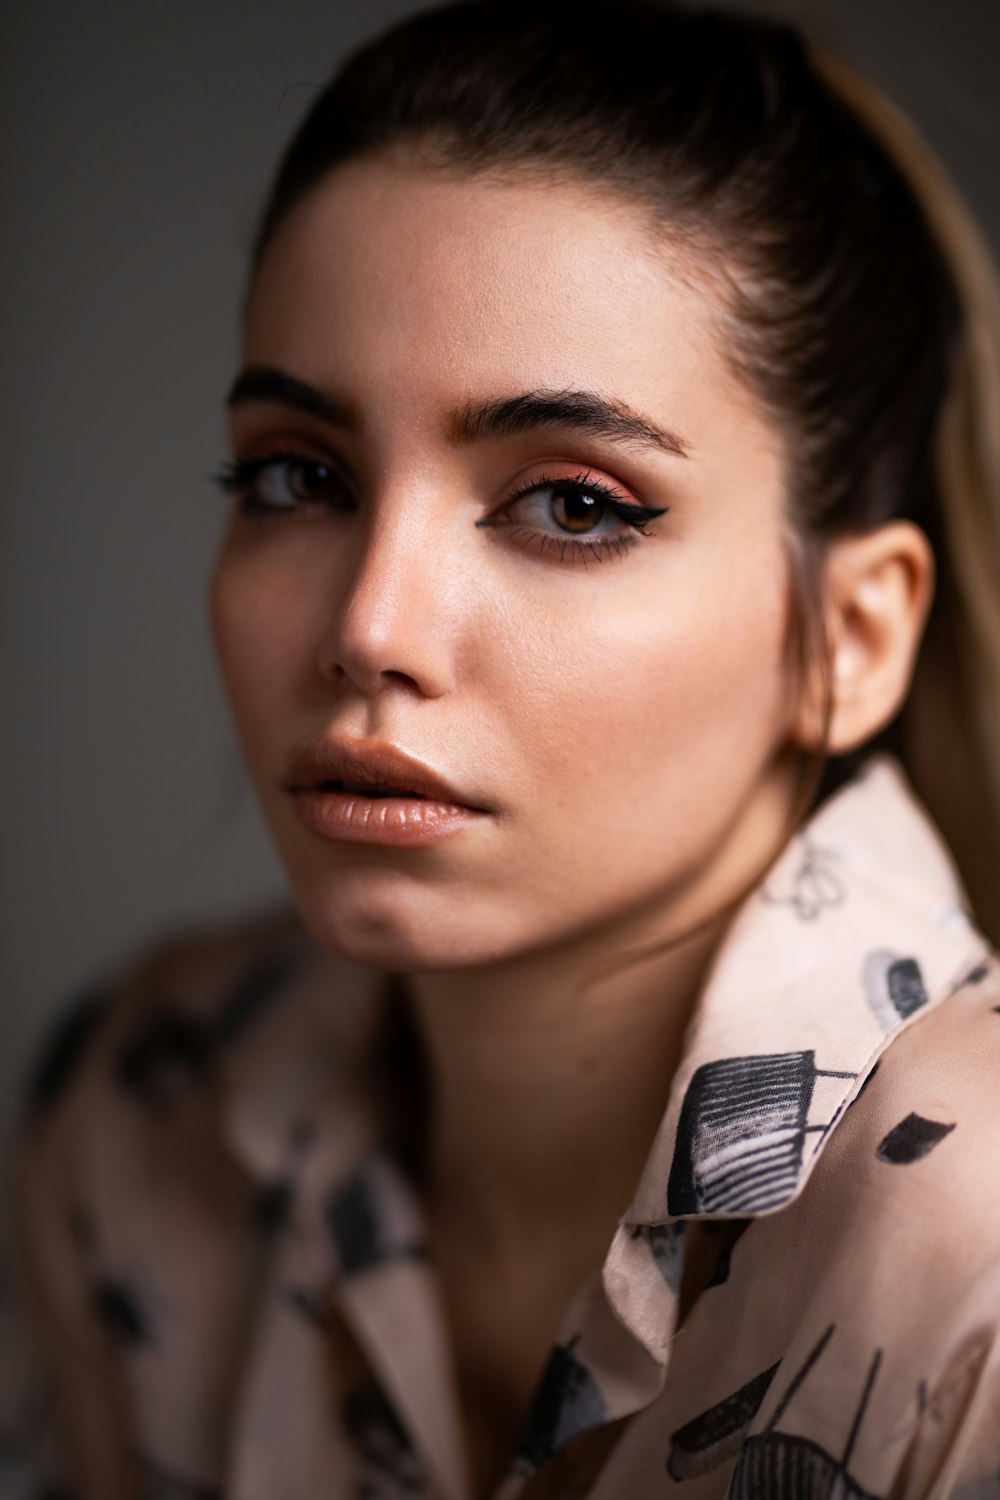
column 220, row 1285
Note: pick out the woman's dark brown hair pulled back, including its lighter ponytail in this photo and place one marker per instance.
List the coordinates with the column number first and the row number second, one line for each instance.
column 864, row 308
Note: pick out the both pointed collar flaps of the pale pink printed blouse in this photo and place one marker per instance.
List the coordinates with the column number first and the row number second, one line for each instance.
column 861, row 928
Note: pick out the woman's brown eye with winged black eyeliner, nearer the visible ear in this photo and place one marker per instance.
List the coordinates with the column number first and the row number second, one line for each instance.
column 581, row 509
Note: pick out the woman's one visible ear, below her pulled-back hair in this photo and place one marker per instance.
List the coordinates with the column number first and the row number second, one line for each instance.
column 878, row 592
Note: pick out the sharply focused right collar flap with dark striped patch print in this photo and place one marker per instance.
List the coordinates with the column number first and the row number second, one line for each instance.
column 861, row 928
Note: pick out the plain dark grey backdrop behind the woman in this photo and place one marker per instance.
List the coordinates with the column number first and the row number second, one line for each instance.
column 136, row 145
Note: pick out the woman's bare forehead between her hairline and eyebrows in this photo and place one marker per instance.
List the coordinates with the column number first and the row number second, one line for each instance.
column 413, row 286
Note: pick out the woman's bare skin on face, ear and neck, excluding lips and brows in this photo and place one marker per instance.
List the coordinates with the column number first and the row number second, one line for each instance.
column 632, row 722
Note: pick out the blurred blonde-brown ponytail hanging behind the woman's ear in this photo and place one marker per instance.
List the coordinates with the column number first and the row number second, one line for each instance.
column 951, row 725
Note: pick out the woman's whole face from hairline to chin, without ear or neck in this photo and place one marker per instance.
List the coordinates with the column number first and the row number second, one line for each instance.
column 449, row 386
